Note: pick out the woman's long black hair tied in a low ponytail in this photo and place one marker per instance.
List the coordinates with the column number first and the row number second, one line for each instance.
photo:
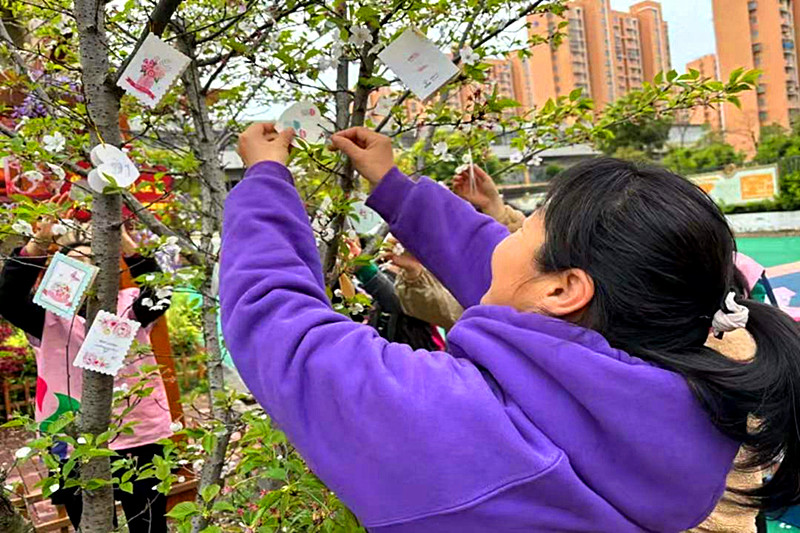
column 661, row 255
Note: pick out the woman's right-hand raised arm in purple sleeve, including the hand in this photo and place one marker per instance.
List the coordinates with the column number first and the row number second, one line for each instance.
column 444, row 232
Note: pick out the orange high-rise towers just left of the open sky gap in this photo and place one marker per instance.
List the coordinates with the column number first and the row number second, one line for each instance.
column 605, row 52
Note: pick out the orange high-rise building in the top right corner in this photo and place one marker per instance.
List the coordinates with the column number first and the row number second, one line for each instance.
column 758, row 34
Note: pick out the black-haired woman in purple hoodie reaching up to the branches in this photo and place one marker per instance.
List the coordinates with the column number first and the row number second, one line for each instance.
column 576, row 393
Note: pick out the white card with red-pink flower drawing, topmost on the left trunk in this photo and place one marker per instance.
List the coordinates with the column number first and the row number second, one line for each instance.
column 152, row 71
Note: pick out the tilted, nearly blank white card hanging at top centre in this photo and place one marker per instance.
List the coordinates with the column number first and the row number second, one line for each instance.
column 419, row 64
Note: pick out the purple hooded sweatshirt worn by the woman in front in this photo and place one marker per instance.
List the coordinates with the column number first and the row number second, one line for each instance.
column 526, row 423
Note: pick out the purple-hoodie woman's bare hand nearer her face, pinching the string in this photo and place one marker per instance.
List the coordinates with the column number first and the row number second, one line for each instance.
column 370, row 152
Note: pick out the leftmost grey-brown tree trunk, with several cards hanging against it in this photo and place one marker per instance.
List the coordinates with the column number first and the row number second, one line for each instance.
column 102, row 104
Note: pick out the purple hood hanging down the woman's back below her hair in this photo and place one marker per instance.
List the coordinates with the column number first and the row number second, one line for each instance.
column 636, row 436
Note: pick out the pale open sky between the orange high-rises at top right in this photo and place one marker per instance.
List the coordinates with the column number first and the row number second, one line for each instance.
column 691, row 28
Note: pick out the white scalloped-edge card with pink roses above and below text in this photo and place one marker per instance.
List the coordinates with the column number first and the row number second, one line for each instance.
column 107, row 343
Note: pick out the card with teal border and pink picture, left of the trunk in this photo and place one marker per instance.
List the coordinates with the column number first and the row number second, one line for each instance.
column 64, row 285
